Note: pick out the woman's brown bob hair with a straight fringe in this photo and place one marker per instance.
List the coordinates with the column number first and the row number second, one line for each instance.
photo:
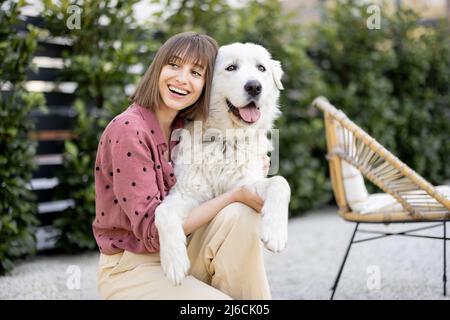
column 193, row 48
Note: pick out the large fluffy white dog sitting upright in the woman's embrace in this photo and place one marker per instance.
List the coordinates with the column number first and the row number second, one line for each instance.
column 226, row 152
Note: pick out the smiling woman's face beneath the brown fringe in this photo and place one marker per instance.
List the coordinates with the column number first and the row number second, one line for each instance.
column 181, row 83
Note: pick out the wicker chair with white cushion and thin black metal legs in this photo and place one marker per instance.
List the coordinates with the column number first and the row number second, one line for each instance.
column 408, row 197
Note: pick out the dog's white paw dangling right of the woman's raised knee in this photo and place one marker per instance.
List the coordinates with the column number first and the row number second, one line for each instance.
column 274, row 233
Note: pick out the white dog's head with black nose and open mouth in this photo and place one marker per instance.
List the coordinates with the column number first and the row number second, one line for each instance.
column 246, row 87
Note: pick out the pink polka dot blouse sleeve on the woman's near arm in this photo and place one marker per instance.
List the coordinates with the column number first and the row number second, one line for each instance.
column 134, row 182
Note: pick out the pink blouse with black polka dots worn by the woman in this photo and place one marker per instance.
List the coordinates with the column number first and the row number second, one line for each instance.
column 132, row 177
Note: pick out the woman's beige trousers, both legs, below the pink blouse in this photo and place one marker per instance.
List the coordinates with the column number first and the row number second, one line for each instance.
column 226, row 263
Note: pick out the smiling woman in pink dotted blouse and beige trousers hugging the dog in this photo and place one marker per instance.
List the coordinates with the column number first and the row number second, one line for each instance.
column 133, row 174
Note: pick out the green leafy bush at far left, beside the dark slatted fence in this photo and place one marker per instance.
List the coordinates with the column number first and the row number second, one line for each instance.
column 17, row 207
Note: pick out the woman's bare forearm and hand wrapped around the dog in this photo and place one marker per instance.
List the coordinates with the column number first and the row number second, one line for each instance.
column 205, row 212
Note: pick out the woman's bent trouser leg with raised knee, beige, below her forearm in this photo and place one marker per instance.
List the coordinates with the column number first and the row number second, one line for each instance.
column 227, row 253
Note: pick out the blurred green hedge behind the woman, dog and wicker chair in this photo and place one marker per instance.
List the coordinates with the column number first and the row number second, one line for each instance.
column 393, row 81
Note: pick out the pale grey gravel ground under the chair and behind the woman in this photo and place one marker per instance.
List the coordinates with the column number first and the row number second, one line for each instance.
column 389, row 268
